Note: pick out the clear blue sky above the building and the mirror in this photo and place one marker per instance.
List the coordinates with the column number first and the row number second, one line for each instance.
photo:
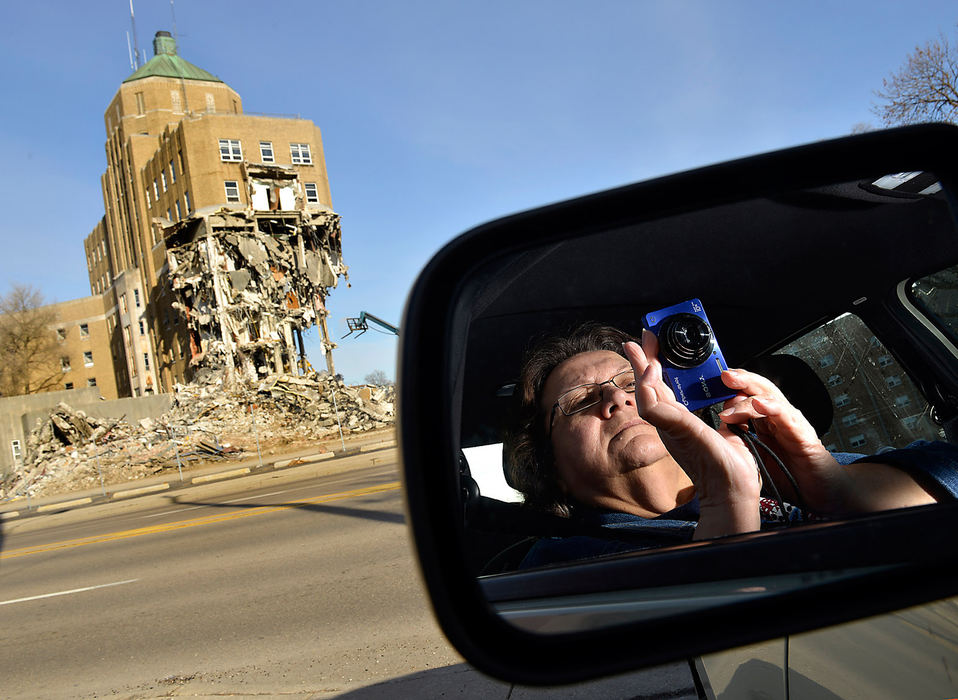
column 438, row 116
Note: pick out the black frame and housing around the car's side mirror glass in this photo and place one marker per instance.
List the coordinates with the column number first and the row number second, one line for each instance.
column 828, row 574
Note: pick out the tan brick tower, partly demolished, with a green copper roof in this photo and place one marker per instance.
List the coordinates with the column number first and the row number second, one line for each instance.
column 208, row 209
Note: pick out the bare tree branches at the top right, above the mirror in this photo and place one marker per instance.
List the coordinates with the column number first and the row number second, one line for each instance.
column 924, row 89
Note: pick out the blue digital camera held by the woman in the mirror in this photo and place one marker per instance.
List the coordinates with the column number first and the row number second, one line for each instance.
column 691, row 359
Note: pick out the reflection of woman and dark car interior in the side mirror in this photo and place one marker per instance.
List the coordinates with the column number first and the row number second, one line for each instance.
column 799, row 290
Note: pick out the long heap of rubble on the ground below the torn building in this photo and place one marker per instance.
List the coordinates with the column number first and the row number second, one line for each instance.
column 212, row 419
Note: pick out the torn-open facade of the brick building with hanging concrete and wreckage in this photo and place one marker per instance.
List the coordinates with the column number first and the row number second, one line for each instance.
column 249, row 282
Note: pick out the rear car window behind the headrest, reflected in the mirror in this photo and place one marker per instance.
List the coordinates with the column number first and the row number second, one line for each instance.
column 876, row 405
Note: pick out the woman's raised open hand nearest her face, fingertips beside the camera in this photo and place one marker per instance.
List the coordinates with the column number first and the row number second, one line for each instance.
column 718, row 462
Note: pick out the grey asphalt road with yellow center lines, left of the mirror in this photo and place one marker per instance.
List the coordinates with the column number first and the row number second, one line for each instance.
column 260, row 585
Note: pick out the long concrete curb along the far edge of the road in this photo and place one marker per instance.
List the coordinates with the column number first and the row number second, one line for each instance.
column 123, row 494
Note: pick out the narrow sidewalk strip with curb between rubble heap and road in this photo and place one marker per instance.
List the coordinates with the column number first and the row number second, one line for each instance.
column 170, row 481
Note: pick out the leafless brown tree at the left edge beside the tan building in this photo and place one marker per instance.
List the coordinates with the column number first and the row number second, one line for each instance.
column 28, row 343
